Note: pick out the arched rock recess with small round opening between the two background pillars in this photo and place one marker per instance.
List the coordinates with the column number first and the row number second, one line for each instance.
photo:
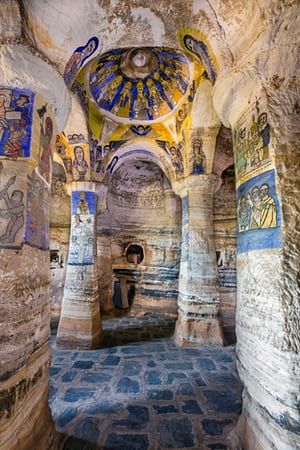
column 142, row 213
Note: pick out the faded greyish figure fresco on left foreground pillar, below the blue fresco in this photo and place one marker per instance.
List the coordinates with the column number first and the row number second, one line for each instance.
column 12, row 213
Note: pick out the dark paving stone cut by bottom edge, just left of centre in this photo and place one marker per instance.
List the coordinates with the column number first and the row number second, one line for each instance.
column 126, row 442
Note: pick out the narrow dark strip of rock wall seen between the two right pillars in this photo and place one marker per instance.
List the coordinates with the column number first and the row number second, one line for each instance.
column 225, row 230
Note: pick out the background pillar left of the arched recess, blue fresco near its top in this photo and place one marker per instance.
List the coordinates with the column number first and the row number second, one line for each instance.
column 80, row 322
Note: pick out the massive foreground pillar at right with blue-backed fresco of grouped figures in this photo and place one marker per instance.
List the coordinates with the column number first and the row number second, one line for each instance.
column 265, row 125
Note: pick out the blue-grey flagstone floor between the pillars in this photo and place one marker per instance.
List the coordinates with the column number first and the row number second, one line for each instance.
column 143, row 392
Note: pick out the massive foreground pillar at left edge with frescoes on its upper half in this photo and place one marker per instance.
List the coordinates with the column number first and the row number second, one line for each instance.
column 28, row 127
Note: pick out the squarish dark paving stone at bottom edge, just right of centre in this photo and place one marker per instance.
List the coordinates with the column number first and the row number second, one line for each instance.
column 176, row 433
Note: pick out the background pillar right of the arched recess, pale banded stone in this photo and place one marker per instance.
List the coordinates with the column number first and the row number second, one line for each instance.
column 198, row 300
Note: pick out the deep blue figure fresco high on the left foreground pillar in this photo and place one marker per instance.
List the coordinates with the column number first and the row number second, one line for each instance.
column 16, row 118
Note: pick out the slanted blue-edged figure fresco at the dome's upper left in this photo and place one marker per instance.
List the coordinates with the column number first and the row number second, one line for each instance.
column 78, row 58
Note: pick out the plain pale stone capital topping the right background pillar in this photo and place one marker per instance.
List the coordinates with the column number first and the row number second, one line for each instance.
column 200, row 182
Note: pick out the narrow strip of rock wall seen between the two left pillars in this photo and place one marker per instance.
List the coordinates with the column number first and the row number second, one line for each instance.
column 60, row 214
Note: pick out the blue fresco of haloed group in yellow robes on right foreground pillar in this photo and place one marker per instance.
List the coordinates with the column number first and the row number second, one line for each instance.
column 258, row 213
